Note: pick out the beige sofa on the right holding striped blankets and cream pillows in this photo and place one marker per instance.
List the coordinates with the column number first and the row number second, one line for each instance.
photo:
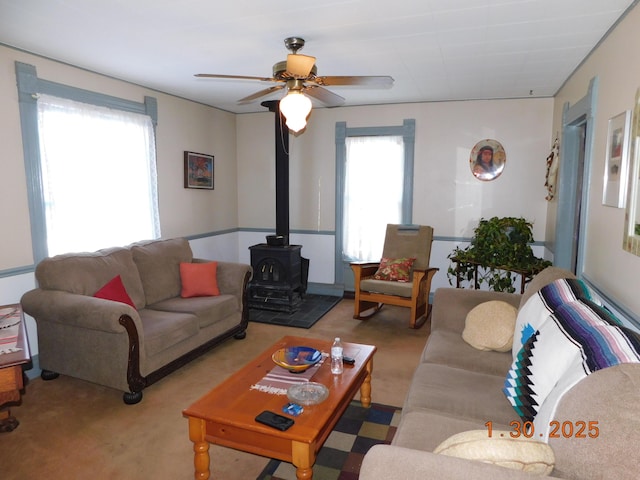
column 458, row 388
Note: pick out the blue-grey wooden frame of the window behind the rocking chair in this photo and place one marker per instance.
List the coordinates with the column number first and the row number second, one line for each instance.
column 408, row 132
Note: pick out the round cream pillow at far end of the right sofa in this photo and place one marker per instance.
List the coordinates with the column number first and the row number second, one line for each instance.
column 490, row 326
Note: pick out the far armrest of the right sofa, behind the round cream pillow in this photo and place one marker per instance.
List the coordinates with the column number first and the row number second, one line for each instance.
column 451, row 305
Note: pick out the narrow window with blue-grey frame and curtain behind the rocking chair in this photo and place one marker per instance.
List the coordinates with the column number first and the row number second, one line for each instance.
column 374, row 186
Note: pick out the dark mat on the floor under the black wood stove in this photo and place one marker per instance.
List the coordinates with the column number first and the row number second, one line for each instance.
column 312, row 308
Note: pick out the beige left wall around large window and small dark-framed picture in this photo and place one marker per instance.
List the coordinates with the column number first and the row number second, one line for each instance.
column 182, row 125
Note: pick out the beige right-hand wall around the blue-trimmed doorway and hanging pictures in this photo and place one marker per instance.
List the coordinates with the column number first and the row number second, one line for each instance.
column 615, row 64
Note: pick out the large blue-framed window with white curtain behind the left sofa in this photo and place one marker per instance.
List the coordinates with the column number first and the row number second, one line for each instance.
column 90, row 166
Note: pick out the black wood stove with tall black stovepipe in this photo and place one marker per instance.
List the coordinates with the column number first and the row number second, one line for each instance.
column 279, row 270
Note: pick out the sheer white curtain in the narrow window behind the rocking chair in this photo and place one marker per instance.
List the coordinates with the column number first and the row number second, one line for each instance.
column 374, row 182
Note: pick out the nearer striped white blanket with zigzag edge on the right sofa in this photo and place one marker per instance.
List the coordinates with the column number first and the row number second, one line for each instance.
column 577, row 339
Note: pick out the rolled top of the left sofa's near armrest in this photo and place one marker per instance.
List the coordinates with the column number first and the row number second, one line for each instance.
column 78, row 310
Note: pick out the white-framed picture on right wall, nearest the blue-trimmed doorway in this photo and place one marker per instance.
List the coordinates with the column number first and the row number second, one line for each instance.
column 617, row 158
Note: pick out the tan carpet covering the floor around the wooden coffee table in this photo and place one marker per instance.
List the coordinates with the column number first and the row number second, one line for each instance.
column 71, row 429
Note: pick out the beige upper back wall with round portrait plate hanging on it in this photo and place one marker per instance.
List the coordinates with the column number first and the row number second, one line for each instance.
column 446, row 195
